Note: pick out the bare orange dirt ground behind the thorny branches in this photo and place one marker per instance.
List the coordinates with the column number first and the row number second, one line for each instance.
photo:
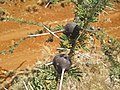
column 31, row 50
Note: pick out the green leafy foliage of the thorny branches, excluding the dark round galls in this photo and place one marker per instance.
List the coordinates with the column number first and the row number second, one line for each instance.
column 86, row 11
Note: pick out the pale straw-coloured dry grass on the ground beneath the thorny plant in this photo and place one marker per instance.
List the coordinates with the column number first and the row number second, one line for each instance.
column 95, row 73
